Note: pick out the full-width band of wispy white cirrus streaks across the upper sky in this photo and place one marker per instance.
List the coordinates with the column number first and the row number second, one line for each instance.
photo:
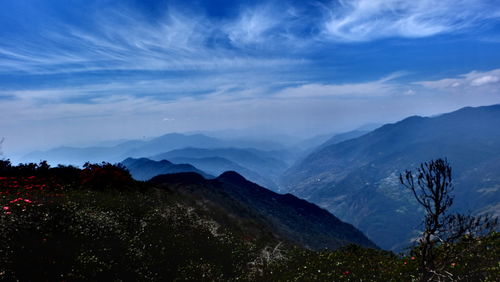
column 119, row 38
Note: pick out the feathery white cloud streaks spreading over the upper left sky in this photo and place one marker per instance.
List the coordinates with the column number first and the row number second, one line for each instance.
column 123, row 40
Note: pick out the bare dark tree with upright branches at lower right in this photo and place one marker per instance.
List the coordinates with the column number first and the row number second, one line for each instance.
column 432, row 188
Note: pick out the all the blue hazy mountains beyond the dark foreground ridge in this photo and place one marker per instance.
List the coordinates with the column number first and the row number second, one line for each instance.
column 355, row 175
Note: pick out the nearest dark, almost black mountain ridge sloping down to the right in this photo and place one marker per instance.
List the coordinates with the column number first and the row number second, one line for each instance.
column 285, row 216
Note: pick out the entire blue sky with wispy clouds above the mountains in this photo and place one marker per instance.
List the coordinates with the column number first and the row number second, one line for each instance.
column 74, row 71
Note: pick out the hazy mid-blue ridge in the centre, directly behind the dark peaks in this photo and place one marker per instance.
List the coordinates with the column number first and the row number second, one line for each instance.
column 263, row 167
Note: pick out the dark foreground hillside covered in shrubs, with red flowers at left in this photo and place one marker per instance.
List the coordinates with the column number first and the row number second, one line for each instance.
column 97, row 223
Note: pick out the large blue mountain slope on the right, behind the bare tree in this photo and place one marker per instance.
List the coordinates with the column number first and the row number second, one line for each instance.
column 357, row 179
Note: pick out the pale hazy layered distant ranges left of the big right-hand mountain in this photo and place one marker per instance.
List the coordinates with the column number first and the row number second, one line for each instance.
column 208, row 154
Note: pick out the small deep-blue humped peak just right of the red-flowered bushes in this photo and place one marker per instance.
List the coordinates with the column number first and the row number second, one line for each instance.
column 145, row 169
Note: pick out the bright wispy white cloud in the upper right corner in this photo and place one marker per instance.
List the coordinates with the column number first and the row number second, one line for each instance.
column 364, row 20
